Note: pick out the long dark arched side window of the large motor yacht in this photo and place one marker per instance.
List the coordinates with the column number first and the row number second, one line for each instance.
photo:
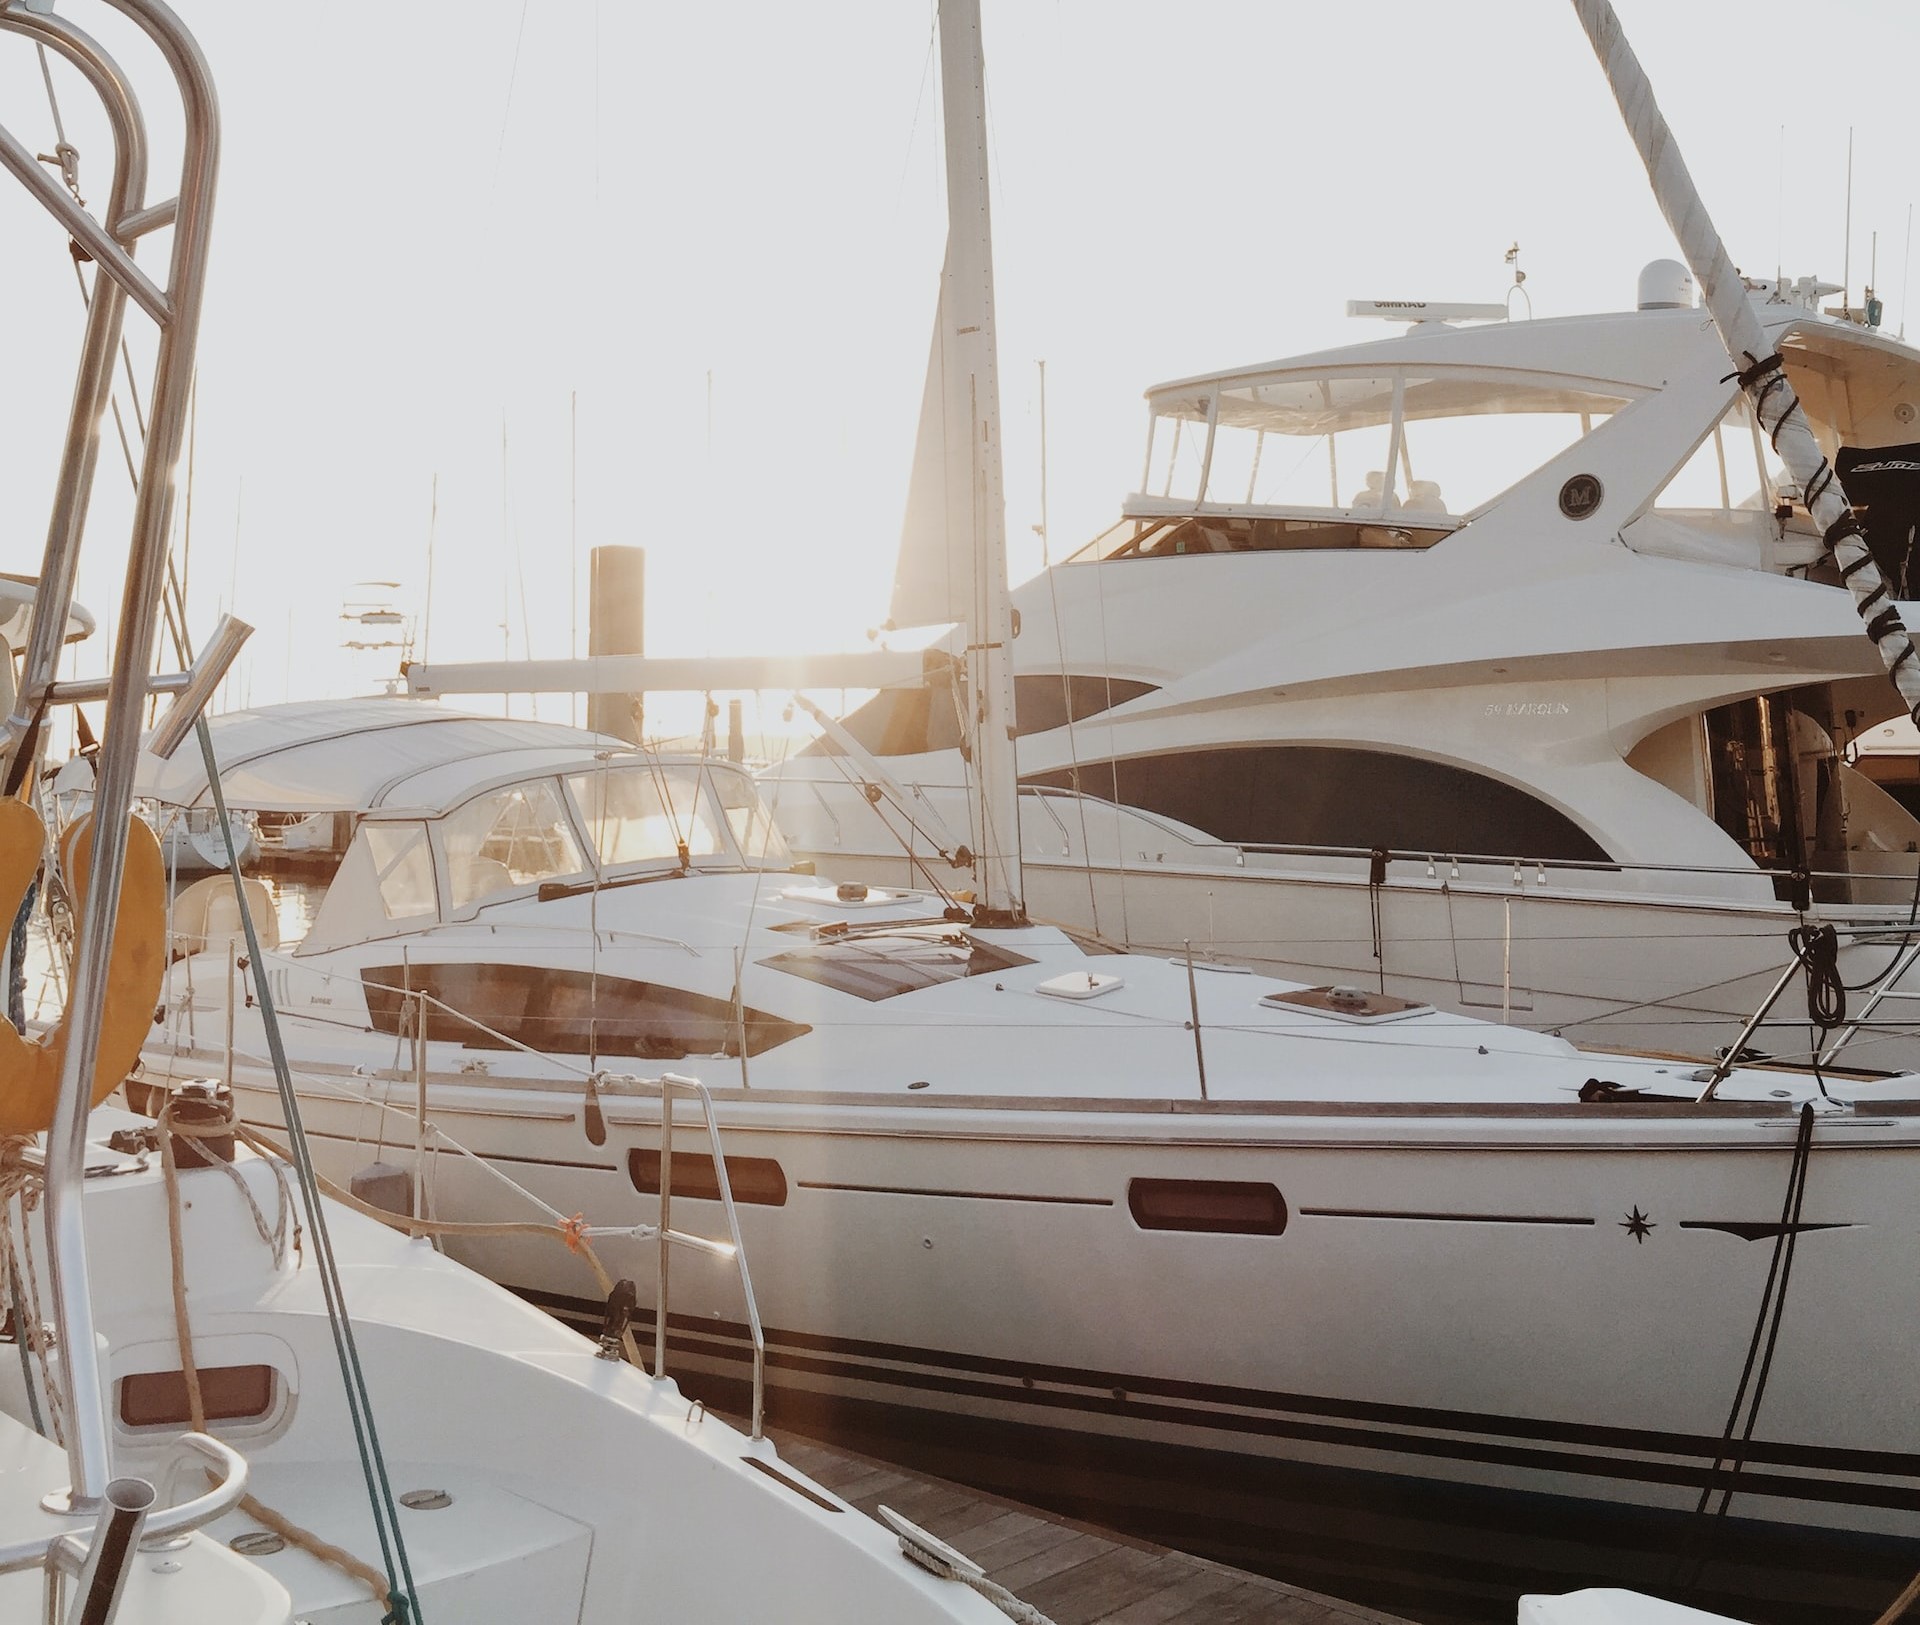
column 1322, row 796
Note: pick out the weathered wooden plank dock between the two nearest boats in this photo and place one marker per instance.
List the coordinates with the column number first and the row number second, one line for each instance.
column 1072, row 1572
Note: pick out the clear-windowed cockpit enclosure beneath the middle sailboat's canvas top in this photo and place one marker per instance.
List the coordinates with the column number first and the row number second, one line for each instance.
column 610, row 819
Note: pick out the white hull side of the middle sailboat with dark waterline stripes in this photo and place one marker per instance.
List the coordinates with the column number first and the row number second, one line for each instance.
column 1458, row 1294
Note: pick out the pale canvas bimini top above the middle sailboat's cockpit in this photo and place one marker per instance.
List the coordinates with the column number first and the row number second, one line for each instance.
column 347, row 756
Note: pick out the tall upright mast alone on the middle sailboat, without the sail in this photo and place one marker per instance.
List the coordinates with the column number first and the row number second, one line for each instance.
column 972, row 358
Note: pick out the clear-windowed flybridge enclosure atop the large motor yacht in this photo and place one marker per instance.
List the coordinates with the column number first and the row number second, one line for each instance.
column 1378, row 458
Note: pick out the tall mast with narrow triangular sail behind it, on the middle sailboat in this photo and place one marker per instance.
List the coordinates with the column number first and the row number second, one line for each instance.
column 953, row 546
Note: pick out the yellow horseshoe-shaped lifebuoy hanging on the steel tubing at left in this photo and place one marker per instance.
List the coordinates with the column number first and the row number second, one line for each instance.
column 30, row 1067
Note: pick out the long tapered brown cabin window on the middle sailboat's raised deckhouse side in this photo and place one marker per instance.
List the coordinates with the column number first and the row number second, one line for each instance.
column 567, row 1011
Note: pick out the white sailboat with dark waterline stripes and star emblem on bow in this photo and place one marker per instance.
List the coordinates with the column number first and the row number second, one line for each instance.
column 1180, row 1225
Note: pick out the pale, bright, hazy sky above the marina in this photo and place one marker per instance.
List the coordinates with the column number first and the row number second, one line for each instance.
column 717, row 231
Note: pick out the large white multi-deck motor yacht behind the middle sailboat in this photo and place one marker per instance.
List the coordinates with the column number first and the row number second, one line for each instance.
column 1497, row 666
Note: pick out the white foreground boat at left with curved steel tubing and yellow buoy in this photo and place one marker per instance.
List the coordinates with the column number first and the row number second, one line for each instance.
column 233, row 1401
